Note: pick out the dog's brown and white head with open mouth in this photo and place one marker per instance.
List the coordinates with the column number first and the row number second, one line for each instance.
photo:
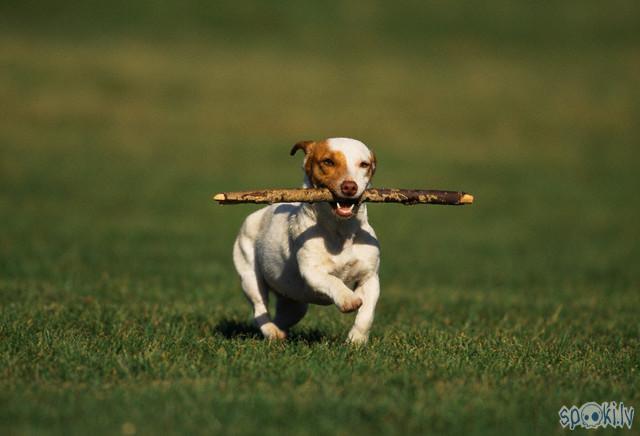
column 344, row 166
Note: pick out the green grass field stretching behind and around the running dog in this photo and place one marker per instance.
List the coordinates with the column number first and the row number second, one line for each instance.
column 120, row 311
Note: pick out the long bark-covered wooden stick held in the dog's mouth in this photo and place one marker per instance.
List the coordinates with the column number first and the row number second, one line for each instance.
column 404, row 196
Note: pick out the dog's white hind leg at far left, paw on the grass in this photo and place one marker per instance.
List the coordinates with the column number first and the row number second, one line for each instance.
column 254, row 287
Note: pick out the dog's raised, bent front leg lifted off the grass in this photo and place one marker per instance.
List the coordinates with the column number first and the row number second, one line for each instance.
column 322, row 282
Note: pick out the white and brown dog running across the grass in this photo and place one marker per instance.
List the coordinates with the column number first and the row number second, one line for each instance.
column 318, row 253
